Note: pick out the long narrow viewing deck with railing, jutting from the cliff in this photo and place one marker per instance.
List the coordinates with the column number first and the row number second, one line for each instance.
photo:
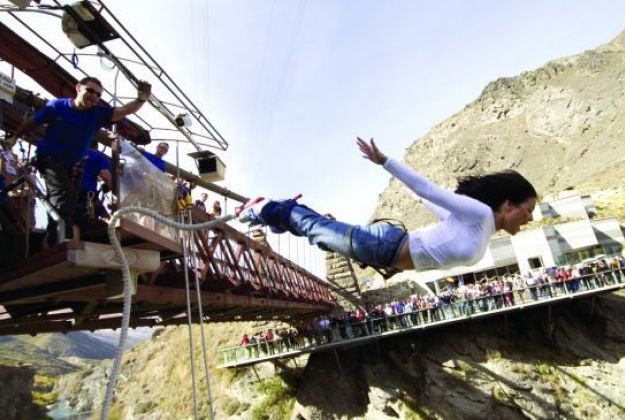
column 442, row 316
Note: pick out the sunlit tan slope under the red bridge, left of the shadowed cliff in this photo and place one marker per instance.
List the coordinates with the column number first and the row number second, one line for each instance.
column 156, row 376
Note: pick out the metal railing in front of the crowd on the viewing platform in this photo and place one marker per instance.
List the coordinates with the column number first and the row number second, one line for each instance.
column 421, row 318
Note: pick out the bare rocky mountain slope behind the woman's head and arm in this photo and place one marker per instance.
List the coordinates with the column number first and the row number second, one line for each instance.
column 561, row 125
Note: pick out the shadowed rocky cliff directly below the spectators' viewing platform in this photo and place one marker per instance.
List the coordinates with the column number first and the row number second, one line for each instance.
column 529, row 367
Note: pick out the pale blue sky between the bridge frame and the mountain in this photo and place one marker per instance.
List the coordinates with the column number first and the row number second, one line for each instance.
column 290, row 84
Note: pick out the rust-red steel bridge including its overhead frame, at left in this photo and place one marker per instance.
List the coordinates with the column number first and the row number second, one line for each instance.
column 77, row 285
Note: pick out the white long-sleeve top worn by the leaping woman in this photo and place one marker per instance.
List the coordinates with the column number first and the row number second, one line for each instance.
column 462, row 236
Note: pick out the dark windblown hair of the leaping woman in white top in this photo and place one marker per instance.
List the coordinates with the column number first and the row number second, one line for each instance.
column 493, row 189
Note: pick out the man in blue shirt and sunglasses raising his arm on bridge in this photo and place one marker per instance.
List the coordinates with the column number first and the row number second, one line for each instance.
column 72, row 123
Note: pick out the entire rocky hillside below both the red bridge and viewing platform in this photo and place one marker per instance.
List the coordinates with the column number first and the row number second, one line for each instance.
column 569, row 365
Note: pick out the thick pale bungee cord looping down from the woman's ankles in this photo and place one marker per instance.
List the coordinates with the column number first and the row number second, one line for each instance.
column 123, row 261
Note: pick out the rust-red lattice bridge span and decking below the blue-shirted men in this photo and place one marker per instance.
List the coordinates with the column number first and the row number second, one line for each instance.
column 77, row 285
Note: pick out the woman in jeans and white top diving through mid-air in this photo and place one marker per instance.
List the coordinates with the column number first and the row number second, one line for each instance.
column 480, row 206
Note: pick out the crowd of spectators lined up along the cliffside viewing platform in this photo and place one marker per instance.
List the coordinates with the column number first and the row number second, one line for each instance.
column 456, row 299
